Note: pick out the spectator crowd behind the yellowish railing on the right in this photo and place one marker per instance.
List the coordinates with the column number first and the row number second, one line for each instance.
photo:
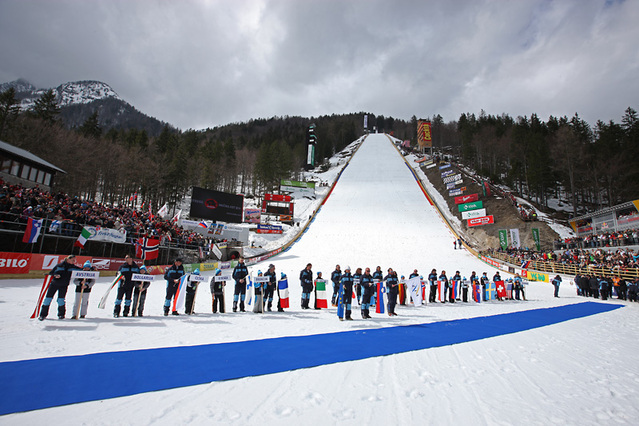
column 620, row 259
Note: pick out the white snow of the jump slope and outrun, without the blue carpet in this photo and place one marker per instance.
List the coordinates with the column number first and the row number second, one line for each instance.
column 578, row 372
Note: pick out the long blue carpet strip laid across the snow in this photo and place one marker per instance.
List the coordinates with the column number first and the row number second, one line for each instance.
column 50, row 382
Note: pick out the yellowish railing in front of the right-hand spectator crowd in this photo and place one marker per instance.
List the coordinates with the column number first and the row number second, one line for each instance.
column 560, row 268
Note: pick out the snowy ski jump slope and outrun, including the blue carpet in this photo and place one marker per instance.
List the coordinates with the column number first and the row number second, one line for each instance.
column 432, row 364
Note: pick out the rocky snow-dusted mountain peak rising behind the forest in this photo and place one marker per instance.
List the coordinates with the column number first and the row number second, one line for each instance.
column 79, row 99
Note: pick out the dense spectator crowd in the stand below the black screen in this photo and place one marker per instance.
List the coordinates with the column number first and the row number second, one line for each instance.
column 18, row 203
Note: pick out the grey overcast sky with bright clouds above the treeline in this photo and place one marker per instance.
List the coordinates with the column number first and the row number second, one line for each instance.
column 198, row 64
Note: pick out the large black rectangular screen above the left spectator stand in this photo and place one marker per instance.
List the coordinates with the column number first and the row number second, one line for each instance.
column 216, row 205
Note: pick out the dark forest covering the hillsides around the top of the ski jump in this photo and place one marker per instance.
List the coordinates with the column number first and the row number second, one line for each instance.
column 559, row 158
